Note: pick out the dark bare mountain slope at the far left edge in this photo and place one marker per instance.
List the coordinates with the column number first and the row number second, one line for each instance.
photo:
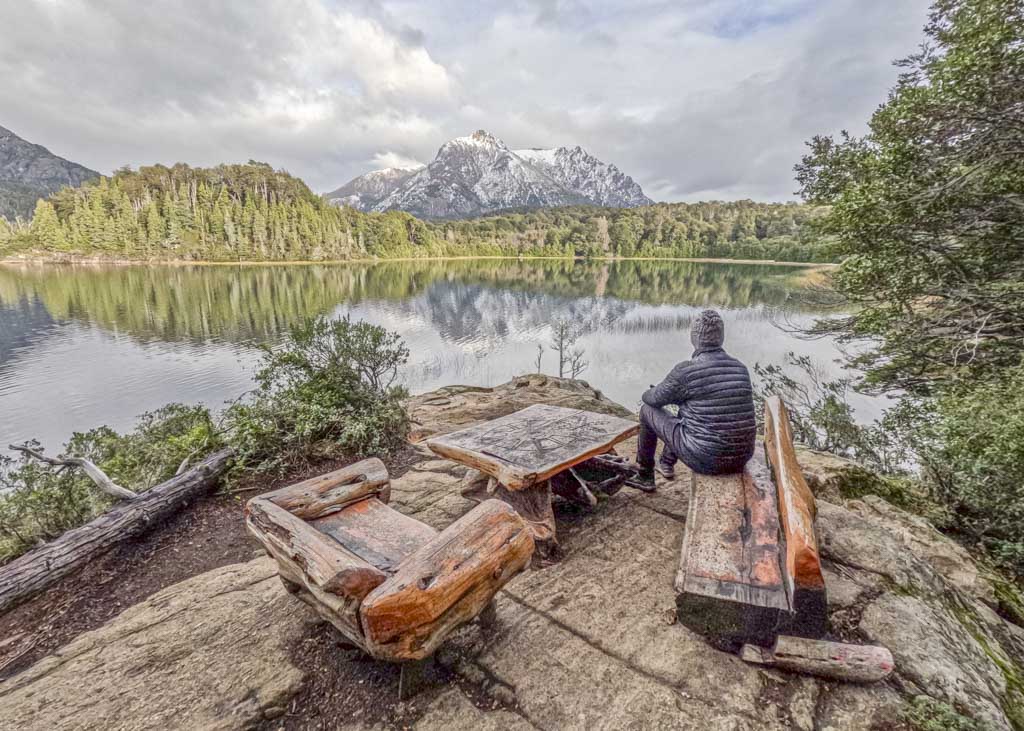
column 30, row 171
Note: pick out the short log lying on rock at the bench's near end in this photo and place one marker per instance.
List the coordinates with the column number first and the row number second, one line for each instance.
column 854, row 664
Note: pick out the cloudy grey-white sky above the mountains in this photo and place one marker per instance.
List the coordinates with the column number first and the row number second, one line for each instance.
column 697, row 100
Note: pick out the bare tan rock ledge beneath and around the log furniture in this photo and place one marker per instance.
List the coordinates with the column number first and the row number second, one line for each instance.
column 589, row 642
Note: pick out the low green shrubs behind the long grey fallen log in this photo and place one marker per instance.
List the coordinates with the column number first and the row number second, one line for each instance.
column 39, row 502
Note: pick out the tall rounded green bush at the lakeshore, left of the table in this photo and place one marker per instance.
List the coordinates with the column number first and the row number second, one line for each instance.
column 329, row 391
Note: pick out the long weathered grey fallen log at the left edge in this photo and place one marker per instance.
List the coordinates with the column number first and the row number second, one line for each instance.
column 41, row 567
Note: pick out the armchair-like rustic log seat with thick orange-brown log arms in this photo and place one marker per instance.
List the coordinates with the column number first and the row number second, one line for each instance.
column 393, row 586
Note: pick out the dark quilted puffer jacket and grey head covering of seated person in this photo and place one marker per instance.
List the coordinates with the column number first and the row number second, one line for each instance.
column 717, row 424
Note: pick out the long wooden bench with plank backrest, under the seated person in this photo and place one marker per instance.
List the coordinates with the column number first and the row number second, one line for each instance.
column 750, row 567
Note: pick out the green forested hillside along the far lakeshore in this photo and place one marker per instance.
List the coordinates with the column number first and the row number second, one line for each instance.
column 254, row 213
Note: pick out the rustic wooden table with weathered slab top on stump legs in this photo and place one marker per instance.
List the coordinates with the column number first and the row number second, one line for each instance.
column 540, row 450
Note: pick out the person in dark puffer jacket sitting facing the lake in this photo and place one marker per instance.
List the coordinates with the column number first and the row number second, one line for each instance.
column 716, row 428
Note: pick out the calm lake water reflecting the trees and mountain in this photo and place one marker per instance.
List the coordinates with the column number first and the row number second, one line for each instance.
column 83, row 347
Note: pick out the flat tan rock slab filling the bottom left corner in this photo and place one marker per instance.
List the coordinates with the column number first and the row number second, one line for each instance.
column 210, row 653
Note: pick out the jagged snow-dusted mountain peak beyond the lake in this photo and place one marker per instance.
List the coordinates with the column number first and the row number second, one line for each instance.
column 479, row 175
